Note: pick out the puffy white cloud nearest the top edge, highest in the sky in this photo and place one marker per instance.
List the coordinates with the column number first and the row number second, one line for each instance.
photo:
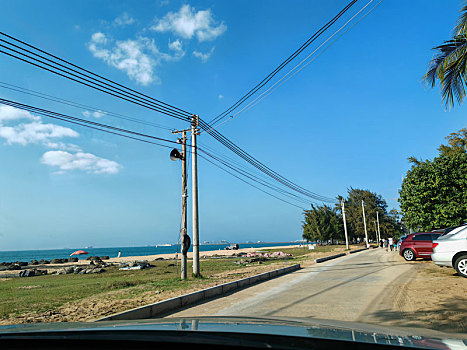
column 187, row 23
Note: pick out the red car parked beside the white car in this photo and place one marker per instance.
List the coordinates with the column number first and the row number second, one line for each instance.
column 418, row 245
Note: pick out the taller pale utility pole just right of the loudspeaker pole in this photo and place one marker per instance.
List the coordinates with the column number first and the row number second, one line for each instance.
column 194, row 197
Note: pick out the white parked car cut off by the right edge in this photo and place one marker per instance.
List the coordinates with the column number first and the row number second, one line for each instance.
column 451, row 250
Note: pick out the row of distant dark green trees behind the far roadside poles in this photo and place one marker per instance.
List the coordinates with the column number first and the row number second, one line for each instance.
column 325, row 223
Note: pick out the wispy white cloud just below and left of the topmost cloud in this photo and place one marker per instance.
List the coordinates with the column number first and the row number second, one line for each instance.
column 137, row 58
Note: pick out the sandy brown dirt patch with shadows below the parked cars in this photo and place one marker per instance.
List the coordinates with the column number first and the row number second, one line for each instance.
column 429, row 297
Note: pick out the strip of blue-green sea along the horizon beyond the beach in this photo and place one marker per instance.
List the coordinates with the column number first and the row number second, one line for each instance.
column 49, row 254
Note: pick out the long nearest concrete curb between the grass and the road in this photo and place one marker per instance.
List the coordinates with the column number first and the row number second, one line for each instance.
column 173, row 304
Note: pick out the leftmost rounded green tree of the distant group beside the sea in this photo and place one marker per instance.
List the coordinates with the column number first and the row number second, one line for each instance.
column 322, row 223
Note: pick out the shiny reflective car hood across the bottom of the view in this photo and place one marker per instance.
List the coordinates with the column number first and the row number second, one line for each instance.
column 287, row 327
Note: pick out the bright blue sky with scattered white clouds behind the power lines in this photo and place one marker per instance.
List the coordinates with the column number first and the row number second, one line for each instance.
column 349, row 119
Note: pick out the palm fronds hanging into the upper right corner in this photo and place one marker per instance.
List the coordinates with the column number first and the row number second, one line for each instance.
column 449, row 65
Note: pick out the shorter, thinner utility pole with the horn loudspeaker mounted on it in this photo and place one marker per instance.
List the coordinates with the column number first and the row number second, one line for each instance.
column 185, row 239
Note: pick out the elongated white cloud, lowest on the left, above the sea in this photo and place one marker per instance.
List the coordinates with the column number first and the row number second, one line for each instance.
column 87, row 162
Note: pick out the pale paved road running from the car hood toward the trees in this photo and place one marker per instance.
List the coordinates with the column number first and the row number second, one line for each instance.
column 347, row 289
